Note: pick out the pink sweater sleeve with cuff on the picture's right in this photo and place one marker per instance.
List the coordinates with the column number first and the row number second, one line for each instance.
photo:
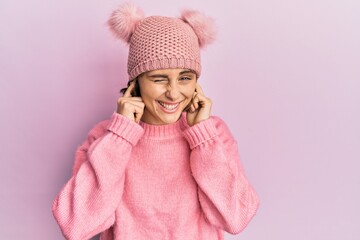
column 227, row 199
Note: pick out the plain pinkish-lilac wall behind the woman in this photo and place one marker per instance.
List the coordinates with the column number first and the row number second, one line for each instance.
column 284, row 75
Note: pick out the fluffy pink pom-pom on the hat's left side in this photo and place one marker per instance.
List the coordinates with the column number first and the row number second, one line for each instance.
column 124, row 20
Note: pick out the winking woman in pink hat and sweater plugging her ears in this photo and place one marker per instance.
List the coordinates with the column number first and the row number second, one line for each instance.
column 162, row 167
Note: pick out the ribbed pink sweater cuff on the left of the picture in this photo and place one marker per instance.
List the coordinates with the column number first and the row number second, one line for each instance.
column 125, row 128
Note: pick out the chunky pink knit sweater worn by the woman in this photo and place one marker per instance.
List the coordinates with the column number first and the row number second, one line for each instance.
column 140, row 181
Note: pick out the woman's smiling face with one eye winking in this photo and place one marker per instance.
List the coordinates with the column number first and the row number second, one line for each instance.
column 166, row 93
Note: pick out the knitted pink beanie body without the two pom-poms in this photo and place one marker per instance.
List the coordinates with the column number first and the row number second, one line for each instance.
column 163, row 42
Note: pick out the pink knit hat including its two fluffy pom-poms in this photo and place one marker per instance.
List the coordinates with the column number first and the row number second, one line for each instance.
column 158, row 42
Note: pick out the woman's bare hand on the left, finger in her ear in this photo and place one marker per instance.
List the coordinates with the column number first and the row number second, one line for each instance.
column 129, row 106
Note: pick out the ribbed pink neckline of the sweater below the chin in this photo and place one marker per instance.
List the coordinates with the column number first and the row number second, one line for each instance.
column 167, row 130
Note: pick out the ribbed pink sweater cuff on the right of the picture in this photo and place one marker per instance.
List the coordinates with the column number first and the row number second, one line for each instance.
column 200, row 132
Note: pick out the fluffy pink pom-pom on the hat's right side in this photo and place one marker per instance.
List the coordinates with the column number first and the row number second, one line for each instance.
column 202, row 25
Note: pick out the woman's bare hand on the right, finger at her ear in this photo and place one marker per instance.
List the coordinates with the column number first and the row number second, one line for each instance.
column 199, row 108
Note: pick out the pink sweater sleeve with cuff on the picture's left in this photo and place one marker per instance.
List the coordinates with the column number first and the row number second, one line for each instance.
column 86, row 205
